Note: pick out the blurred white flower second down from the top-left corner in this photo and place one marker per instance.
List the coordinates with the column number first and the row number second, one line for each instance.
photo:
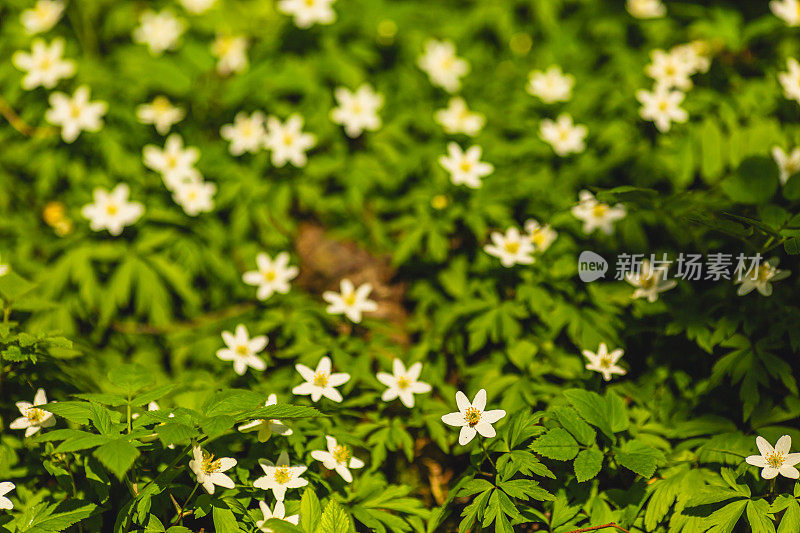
column 44, row 65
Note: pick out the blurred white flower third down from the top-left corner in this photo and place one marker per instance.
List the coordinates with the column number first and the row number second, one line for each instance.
column 75, row 114
